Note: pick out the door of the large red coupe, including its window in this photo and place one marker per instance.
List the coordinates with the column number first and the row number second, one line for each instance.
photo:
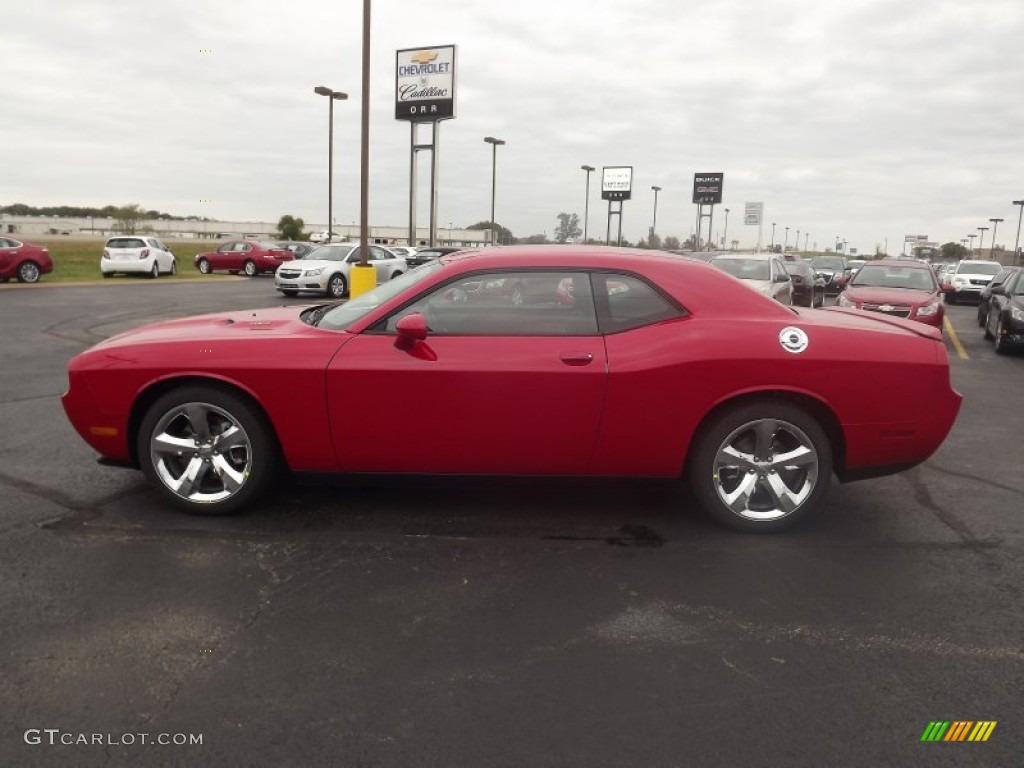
column 493, row 389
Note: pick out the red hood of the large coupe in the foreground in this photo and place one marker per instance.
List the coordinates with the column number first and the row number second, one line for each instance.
column 216, row 327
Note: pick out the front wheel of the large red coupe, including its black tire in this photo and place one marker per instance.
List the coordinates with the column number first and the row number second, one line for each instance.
column 258, row 463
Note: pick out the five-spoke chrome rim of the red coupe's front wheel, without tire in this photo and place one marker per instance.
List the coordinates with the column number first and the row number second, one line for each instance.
column 201, row 453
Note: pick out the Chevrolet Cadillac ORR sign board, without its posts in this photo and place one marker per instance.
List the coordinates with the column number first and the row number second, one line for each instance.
column 424, row 83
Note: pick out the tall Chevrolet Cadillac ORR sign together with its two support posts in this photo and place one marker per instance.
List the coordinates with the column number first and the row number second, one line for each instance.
column 425, row 90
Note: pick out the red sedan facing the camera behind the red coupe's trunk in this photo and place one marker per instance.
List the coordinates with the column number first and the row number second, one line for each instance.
column 902, row 289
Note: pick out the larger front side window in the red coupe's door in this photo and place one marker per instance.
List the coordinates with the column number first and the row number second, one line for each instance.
column 536, row 304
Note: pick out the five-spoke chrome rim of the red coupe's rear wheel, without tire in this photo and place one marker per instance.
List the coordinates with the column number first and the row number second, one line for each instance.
column 765, row 470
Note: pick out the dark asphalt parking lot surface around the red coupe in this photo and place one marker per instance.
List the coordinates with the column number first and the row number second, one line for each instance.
column 484, row 624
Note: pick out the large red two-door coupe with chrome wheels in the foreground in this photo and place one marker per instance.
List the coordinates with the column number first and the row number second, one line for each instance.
column 659, row 367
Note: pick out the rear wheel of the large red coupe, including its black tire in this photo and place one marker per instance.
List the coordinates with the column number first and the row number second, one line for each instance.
column 787, row 428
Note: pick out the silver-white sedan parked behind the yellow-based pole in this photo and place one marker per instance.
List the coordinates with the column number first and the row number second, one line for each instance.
column 326, row 270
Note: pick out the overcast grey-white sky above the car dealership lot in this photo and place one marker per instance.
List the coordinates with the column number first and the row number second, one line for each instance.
column 864, row 119
